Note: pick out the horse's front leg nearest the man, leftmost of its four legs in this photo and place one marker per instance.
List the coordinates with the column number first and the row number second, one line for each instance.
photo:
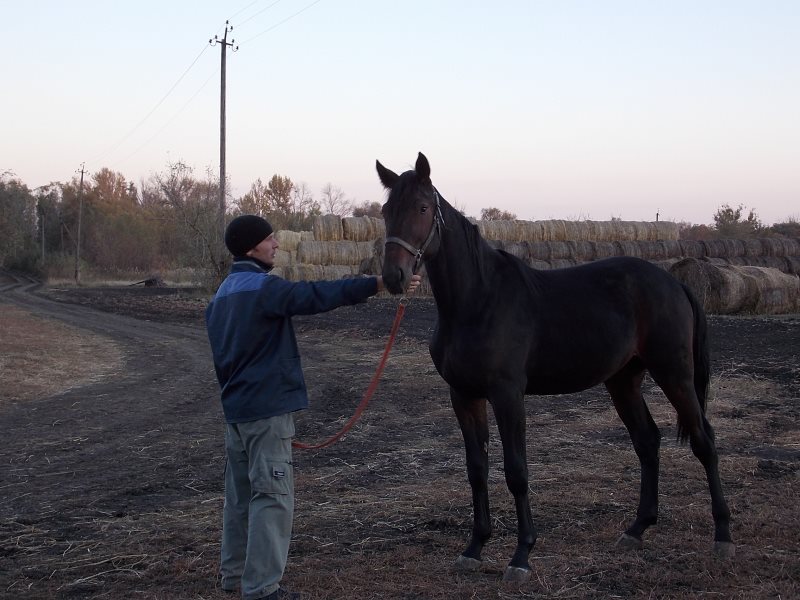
column 471, row 414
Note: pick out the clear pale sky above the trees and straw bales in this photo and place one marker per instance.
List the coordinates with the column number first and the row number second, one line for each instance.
column 561, row 109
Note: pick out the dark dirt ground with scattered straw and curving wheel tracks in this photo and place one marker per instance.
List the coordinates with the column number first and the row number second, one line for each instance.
column 111, row 464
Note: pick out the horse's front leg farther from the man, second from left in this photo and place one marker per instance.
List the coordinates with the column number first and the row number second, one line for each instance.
column 509, row 413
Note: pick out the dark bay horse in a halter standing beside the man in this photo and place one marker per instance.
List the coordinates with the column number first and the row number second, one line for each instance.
column 505, row 330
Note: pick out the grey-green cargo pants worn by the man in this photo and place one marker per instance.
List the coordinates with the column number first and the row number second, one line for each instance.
column 259, row 505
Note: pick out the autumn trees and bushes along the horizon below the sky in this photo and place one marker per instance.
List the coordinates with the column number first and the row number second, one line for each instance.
column 171, row 221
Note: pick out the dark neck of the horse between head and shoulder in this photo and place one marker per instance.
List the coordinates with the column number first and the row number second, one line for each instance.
column 458, row 274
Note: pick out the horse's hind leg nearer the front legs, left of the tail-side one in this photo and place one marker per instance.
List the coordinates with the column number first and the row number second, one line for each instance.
column 625, row 389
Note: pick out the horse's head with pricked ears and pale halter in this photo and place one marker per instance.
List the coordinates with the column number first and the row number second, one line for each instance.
column 413, row 218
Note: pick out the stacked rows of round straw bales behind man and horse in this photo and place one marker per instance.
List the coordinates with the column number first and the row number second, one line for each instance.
column 729, row 276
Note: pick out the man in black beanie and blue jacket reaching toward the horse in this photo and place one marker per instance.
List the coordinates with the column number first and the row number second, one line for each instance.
column 257, row 363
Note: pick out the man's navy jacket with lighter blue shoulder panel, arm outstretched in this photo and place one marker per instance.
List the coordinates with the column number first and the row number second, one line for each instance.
column 255, row 351
